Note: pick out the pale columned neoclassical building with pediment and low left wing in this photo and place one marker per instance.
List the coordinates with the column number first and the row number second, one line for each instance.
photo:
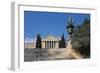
column 47, row 42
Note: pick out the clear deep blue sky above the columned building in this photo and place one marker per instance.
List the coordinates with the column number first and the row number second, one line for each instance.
column 49, row 23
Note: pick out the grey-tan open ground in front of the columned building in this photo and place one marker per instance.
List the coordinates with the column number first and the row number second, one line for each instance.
column 45, row 54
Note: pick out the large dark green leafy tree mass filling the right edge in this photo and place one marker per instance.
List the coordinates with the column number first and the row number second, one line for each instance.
column 81, row 38
